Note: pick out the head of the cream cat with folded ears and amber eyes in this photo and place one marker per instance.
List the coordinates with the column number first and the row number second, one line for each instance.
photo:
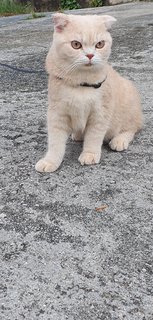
column 81, row 43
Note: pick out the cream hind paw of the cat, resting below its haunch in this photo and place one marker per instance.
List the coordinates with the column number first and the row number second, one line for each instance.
column 121, row 141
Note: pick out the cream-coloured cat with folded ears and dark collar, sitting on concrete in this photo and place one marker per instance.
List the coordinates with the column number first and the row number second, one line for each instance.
column 87, row 98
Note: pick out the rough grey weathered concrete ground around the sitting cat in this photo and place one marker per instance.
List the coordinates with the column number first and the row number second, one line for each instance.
column 60, row 257
